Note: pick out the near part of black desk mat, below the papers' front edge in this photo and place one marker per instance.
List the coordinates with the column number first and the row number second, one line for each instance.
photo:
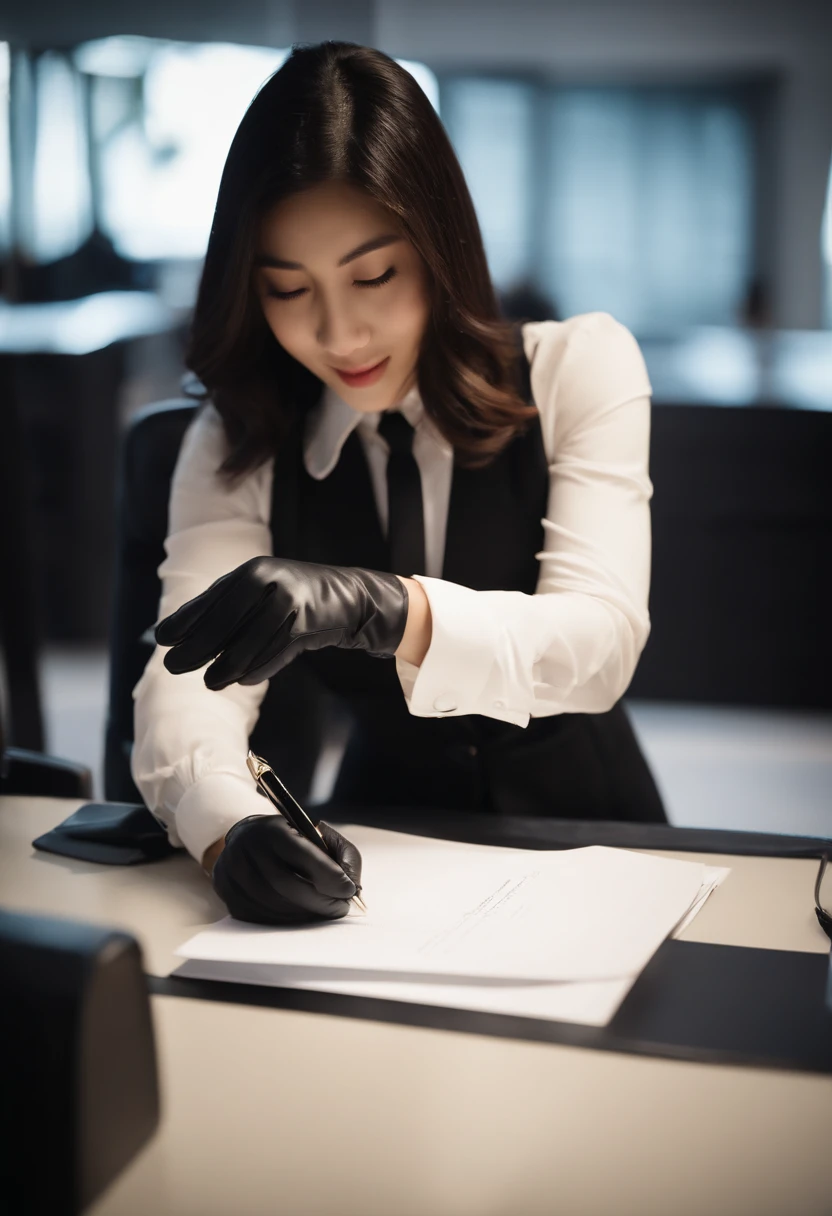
column 694, row 1001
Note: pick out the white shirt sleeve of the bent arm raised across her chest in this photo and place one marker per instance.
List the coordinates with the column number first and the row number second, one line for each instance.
column 572, row 646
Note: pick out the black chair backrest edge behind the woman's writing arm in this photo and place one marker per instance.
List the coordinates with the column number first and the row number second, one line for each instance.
column 149, row 457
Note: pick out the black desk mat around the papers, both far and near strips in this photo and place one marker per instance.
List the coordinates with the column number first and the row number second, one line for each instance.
column 694, row 1001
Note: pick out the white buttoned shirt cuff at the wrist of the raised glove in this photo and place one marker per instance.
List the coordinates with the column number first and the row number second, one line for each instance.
column 458, row 668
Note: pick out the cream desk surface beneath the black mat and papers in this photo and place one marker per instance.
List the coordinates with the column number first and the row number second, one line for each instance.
column 421, row 1122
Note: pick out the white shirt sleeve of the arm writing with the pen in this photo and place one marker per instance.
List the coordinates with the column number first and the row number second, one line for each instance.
column 189, row 757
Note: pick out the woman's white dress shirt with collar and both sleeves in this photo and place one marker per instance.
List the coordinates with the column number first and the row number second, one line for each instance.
column 571, row 648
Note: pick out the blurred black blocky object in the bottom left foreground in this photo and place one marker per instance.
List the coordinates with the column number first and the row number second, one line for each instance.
column 80, row 1093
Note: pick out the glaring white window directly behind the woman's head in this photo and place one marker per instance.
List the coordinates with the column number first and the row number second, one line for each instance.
column 165, row 115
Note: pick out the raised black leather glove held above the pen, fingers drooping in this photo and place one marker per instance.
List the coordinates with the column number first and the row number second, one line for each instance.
column 255, row 621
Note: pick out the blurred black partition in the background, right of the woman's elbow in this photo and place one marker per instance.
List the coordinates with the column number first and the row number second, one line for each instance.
column 741, row 573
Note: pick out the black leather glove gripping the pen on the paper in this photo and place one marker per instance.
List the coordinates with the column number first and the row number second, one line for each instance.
column 271, row 875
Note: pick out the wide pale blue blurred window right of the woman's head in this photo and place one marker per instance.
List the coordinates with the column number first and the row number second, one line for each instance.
column 637, row 201
